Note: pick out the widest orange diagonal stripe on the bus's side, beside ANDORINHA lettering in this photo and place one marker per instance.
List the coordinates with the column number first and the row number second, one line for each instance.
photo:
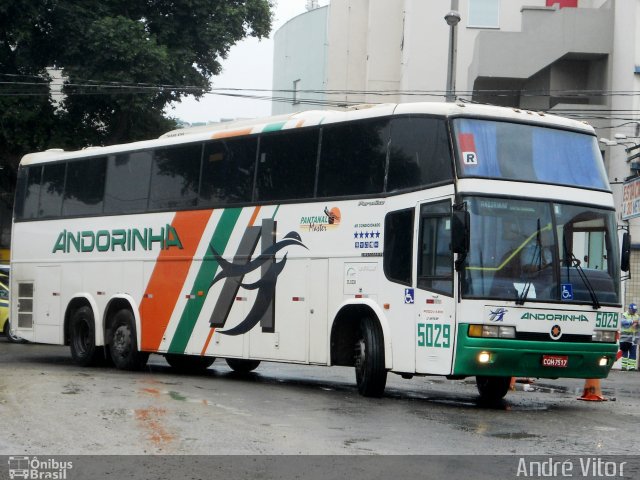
column 168, row 277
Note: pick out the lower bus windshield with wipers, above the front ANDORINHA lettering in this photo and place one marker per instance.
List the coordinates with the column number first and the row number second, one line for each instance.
column 541, row 251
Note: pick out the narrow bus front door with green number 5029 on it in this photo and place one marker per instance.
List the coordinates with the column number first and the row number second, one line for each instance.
column 433, row 297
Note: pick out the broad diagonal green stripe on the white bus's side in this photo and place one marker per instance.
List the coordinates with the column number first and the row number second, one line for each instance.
column 203, row 280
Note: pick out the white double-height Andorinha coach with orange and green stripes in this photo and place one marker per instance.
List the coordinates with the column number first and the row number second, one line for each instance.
column 420, row 239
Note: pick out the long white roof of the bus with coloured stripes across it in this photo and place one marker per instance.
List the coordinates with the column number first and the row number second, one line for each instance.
column 313, row 118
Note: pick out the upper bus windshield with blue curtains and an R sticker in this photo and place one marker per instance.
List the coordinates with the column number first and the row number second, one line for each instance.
column 513, row 151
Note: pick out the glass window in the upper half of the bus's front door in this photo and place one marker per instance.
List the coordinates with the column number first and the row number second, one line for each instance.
column 435, row 259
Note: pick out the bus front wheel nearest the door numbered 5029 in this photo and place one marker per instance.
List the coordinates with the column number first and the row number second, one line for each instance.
column 371, row 375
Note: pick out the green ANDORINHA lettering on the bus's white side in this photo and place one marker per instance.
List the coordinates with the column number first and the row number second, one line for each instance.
column 127, row 240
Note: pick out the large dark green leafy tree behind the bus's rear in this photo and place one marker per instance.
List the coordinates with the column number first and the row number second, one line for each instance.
column 123, row 61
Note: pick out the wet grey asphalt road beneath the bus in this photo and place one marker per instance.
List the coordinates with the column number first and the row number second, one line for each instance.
column 50, row 406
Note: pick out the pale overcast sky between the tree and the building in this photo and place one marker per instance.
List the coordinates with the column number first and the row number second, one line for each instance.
column 249, row 65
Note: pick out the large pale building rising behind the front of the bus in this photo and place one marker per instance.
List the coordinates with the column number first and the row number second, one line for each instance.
column 577, row 58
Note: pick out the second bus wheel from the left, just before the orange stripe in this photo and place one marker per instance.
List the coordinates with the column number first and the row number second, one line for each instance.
column 123, row 346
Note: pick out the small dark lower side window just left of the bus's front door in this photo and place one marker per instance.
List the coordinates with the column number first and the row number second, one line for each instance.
column 398, row 246
